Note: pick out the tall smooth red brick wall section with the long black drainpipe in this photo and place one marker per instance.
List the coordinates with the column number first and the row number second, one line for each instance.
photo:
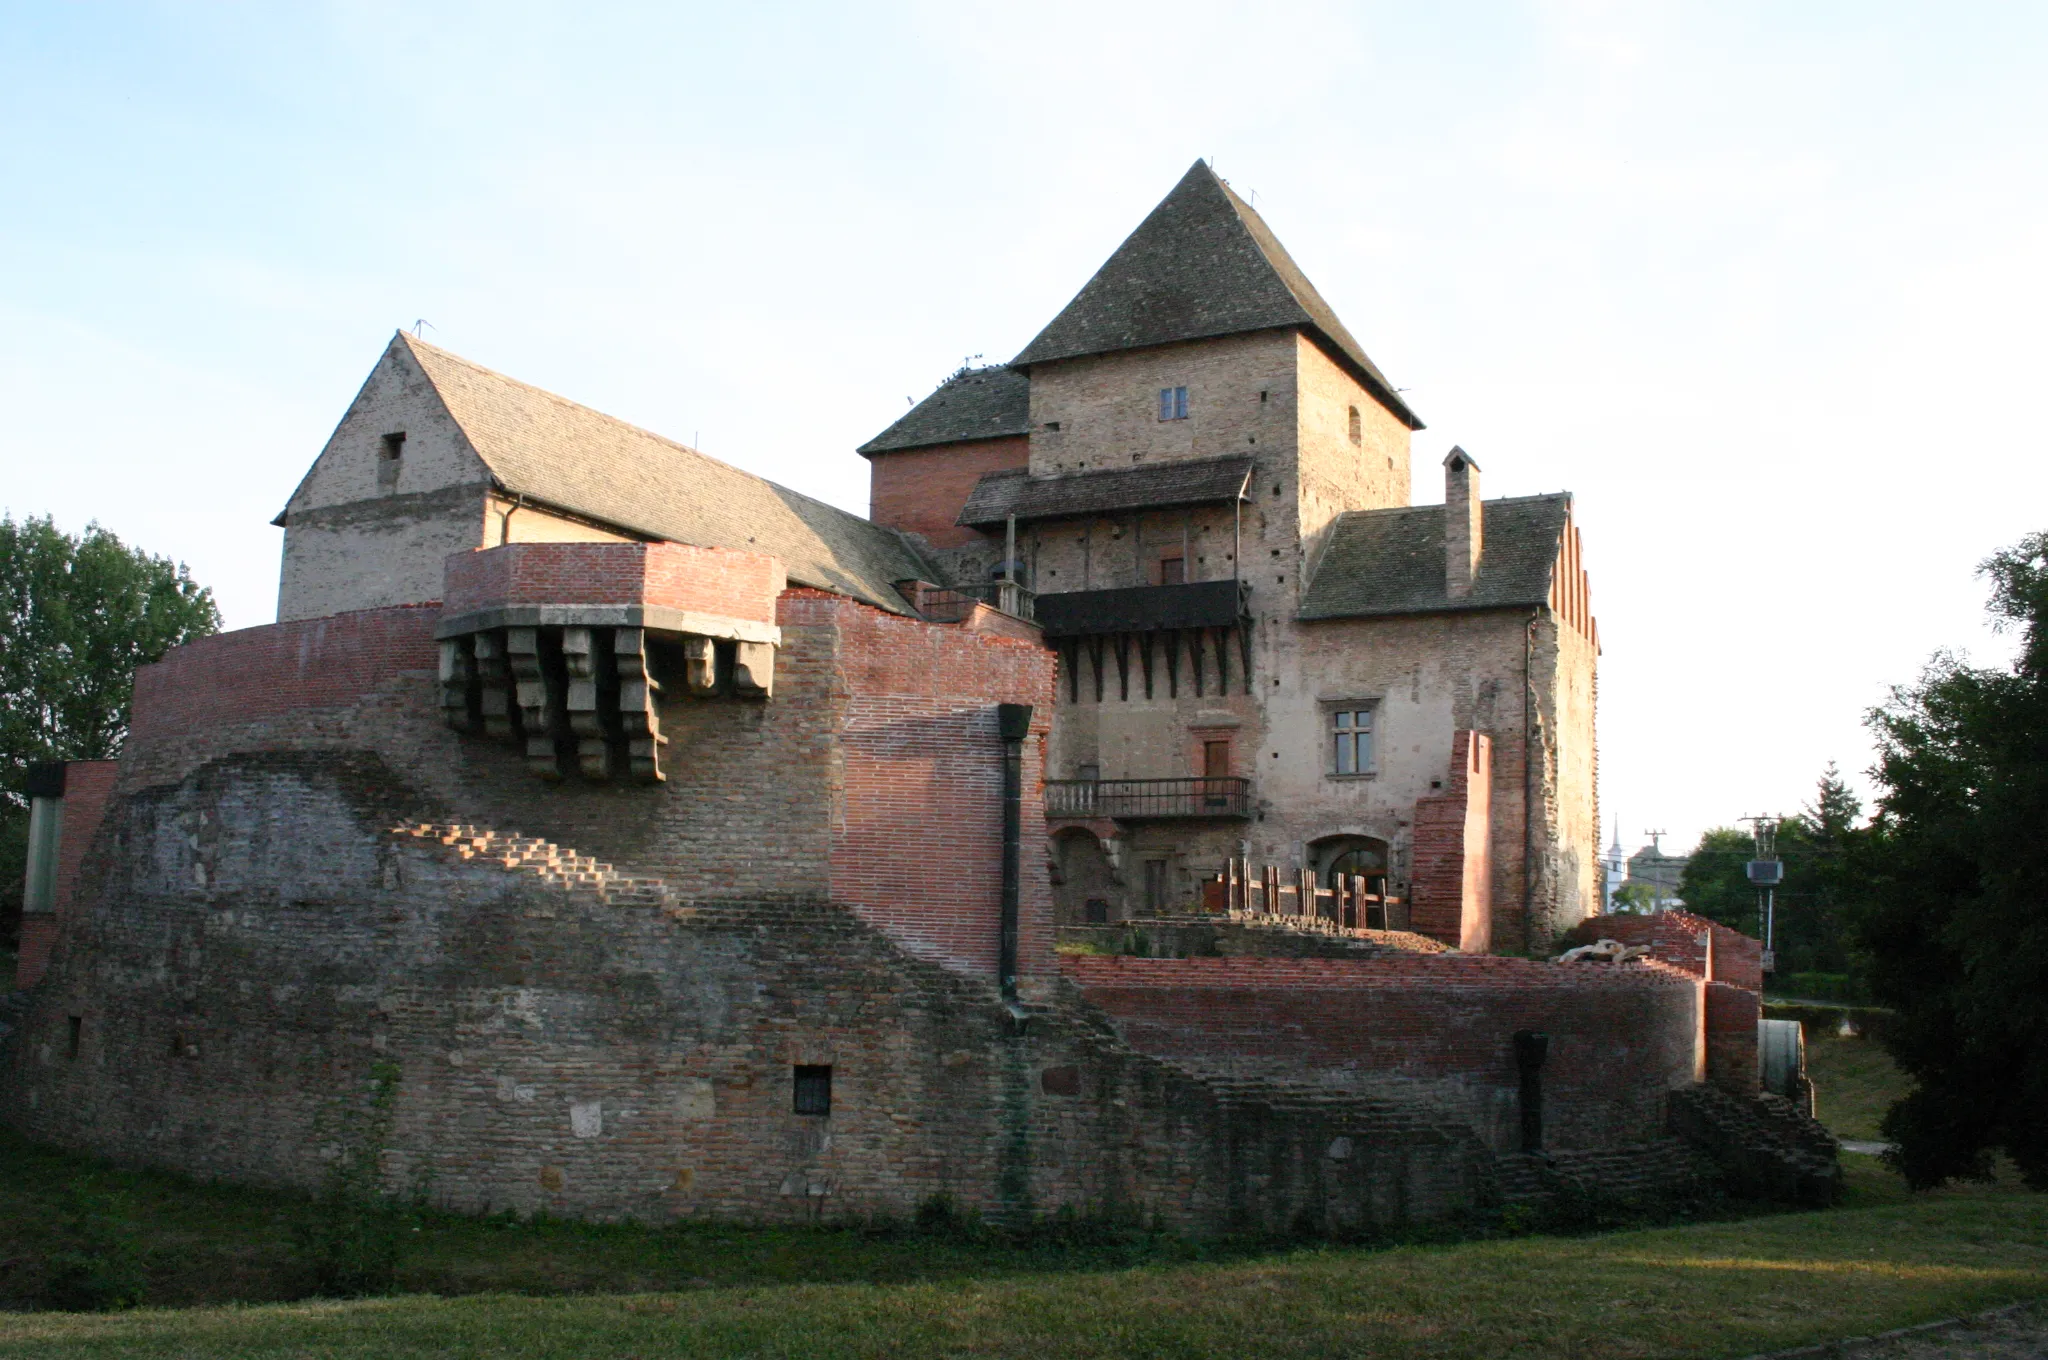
column 916, row 839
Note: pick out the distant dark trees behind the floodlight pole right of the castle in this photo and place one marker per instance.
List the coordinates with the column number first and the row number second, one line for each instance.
column 1820, row 880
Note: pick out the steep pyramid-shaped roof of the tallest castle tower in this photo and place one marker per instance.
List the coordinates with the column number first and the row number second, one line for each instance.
column 1201, row 265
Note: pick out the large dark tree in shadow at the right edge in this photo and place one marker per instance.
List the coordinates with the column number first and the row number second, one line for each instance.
column 1955, row 927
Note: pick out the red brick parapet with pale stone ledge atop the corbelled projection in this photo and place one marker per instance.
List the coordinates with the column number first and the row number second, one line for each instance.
column 669, row 587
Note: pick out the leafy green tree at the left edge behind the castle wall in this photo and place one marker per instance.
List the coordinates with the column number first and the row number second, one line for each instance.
column 77, row 618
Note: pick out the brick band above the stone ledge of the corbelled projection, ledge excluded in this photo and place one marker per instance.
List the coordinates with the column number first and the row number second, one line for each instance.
column 706, row 581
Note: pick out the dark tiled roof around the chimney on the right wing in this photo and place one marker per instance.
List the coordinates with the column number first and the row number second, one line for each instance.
column 1392, row 562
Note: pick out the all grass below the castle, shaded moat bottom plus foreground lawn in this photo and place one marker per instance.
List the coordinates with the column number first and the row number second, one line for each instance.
column 1709, row 1289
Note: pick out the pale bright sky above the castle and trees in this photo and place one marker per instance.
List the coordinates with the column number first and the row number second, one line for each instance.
column 1760, row 284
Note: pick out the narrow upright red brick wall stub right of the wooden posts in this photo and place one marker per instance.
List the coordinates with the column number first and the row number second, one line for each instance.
column 1453, row 878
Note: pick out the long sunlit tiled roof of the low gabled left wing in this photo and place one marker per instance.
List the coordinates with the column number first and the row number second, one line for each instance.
column 579, row 460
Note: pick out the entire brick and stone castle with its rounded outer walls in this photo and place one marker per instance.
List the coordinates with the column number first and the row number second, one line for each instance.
column 693, row 847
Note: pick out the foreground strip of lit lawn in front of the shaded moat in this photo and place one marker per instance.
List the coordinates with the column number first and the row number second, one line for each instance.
column 1719, row 1289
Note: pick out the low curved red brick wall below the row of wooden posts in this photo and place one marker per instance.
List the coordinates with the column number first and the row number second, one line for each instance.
column 1443, row 1025
